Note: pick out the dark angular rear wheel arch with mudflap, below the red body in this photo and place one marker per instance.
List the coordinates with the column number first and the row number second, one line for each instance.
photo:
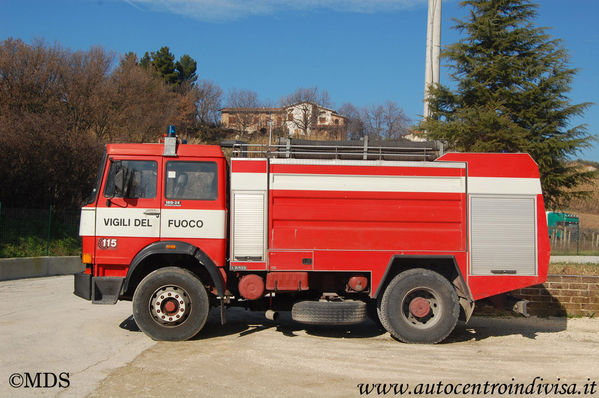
column 445, row 265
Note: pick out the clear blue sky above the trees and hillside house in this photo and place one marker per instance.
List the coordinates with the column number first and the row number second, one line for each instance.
column 361, row 51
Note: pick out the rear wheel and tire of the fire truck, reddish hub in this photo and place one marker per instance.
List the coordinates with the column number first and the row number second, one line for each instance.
column 419, row 306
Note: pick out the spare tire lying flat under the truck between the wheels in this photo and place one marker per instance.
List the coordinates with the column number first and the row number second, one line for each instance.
column 347, row 312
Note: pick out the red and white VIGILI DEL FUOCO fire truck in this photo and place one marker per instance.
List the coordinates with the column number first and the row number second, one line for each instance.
column 178, row 229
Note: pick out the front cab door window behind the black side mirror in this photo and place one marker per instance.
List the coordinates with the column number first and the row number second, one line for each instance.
column 141, row 177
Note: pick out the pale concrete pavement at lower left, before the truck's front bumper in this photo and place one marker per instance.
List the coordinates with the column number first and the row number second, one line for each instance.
column 45, row 328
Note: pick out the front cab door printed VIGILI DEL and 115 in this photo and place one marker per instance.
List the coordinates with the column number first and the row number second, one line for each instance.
column 128, row 212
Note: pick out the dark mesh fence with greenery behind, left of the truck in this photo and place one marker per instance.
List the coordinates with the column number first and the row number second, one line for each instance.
column 39, row 232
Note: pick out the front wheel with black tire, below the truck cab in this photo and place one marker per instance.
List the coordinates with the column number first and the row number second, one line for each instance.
column 170, row 304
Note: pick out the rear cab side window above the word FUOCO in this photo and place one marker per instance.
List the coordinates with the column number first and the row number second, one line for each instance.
column 191, row 180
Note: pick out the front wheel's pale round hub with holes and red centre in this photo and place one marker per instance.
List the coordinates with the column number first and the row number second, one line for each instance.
column 170, row 305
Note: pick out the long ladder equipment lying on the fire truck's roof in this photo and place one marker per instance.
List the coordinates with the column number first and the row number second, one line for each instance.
column 401, row 149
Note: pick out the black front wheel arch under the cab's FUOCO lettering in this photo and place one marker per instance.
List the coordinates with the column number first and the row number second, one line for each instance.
column 171, row 253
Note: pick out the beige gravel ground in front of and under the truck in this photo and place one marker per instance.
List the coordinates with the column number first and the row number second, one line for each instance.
column 251, row 357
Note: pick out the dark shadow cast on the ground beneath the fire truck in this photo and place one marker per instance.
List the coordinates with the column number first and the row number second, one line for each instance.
column 244, row 323
